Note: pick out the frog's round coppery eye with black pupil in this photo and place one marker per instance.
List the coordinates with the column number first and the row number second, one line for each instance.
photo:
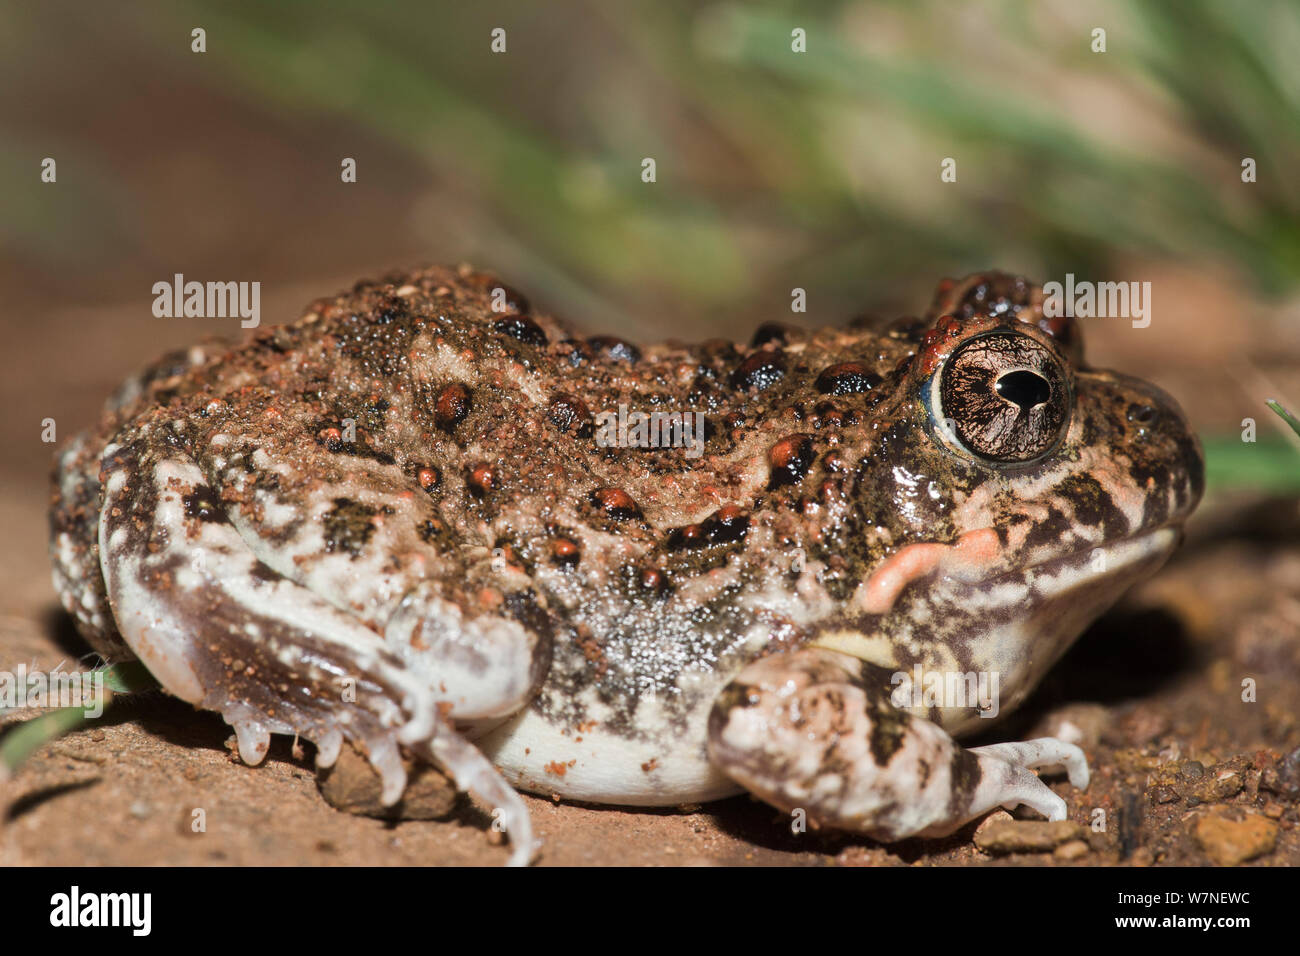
column 1007, row 397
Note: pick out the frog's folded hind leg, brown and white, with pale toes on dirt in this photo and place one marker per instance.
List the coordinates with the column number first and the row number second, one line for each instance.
column 224, row 631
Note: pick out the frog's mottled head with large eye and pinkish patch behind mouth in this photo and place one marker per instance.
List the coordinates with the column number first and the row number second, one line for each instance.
column 1019, row 490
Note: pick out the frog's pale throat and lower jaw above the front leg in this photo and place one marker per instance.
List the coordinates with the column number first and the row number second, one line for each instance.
column 1002, row 631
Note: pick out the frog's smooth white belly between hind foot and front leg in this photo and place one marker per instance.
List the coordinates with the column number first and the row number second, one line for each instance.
column 600, row 767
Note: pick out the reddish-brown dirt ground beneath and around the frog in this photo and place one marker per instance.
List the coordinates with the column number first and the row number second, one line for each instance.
column 1185, row 772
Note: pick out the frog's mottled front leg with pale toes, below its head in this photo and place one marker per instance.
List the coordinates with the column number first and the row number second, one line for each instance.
column 814, row 729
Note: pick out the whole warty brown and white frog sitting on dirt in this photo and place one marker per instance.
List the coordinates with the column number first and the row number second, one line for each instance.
column 402, row 524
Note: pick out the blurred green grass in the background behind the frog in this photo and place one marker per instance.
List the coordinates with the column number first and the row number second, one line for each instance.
column 775, row 168
